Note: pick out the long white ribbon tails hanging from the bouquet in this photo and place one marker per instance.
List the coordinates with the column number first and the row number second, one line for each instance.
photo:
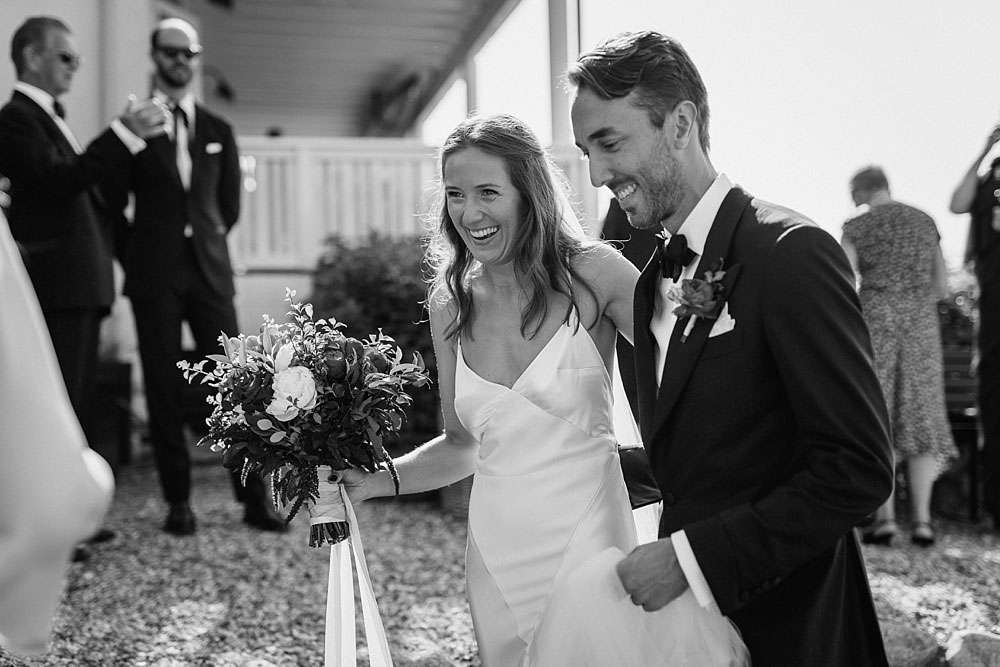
column 341, row 640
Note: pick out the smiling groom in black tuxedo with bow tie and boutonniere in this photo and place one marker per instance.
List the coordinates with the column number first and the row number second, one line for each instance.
column 764, row 421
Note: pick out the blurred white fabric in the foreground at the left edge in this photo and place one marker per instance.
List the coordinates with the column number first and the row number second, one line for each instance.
column 54, row 491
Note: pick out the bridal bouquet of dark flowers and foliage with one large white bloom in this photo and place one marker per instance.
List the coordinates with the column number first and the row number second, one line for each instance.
column 300, row 395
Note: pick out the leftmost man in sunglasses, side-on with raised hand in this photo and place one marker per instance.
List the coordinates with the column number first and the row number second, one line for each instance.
column 54, row 212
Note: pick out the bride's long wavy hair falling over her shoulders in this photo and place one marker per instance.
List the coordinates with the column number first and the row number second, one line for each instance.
column 551, row 236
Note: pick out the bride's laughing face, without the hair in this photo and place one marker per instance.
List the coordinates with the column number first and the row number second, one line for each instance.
column 486, row 209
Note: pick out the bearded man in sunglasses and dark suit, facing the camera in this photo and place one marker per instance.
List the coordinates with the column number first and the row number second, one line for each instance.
column 186, row 189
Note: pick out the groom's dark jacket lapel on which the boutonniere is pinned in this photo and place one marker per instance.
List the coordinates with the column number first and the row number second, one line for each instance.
column 682, row 356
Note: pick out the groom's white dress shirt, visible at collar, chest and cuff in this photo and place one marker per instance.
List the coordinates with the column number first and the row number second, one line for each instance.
column 695, row 229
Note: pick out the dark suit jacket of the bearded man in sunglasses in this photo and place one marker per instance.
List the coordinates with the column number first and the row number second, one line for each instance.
column 152, row 248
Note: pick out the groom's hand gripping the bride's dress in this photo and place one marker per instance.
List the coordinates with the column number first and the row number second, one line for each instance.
column 651, row 575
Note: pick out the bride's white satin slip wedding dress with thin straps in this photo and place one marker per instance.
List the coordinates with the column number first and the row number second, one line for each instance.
column 549, row 518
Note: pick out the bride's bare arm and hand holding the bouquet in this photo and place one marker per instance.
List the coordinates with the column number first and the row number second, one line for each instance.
column 444, row 460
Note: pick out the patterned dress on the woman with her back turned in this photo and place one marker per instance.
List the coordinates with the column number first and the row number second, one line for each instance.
column 895, row 245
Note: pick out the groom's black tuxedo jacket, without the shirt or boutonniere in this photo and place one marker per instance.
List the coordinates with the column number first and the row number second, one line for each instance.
column 771, row 442
